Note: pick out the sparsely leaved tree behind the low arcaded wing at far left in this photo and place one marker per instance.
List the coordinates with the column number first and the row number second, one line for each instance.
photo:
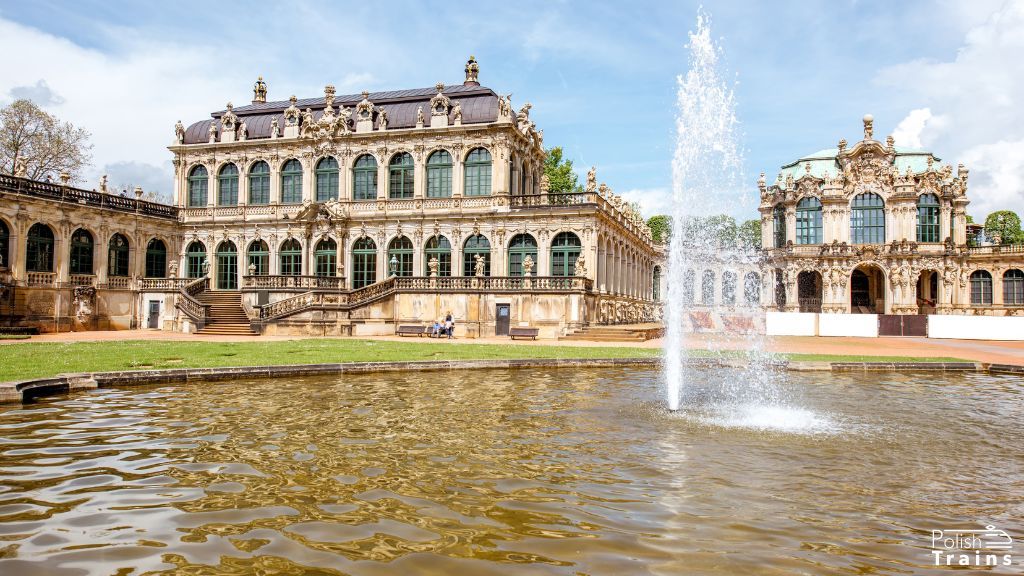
column 40, row 144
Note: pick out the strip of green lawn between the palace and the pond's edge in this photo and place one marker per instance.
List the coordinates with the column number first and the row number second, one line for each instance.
column 31, row 360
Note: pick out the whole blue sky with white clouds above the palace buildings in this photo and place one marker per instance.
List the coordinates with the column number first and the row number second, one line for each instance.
column 948, row 76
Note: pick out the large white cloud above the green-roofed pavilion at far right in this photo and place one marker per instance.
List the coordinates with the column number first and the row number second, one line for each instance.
column 970, row 109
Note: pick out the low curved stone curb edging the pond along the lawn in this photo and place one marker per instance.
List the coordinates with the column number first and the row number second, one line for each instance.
column 28, row 390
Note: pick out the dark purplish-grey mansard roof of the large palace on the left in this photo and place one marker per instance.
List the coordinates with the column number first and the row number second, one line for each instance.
column 480, row 105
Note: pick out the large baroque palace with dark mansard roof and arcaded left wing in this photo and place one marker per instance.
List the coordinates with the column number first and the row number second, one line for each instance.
column 351, row 215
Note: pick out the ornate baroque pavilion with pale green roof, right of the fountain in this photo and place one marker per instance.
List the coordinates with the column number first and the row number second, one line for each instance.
column 878, row 229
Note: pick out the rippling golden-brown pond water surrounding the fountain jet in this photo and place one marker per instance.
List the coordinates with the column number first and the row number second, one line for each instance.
column 505, row 472
